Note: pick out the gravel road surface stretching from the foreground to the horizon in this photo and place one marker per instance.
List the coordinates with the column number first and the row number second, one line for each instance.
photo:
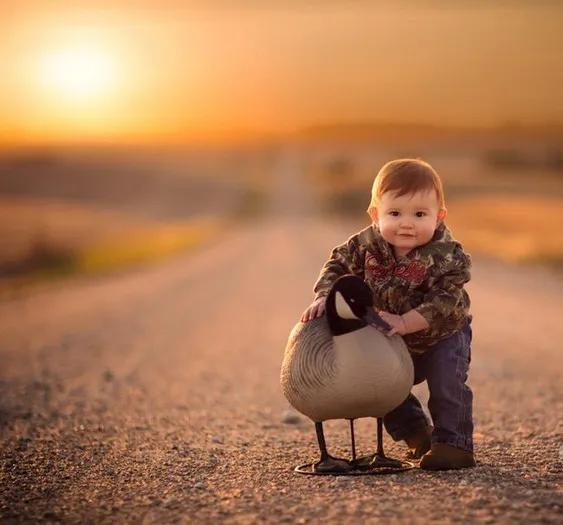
column 154, row 396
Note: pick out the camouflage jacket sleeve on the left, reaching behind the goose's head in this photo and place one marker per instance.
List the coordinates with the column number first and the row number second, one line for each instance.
column 348, row 258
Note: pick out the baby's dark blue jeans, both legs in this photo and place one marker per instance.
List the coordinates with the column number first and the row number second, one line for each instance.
column 444, row 366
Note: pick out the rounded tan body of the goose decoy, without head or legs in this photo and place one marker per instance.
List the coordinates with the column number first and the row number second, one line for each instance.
column 363, row 373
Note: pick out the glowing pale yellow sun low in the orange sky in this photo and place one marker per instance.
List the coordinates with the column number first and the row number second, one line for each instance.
column 78, row 73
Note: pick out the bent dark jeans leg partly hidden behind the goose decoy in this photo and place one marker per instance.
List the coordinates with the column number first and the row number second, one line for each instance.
column 408, row 417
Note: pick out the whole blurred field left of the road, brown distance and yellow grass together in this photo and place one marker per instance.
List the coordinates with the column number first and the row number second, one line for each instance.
column 67, row 213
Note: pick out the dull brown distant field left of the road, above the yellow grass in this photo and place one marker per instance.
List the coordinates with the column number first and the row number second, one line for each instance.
column 168, row 184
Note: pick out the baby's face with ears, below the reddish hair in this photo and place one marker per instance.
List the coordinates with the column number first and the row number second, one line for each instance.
column 408, row 221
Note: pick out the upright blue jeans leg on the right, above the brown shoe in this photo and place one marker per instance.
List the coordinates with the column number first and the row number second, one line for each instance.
column 450, row 403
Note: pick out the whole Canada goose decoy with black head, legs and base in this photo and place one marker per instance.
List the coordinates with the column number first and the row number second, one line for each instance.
column 342, row 366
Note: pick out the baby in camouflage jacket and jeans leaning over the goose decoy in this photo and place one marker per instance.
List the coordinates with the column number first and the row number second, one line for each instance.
column 416, row 271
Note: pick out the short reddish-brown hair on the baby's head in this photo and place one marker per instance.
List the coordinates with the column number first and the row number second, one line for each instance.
column 405, row 176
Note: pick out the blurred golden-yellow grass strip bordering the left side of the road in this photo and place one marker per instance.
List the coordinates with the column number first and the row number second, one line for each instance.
column 44, row 240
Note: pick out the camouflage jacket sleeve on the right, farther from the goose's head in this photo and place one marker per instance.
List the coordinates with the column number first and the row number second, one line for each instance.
column 446, row 303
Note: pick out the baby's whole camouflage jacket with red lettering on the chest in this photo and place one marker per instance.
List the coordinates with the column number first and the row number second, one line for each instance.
column 429, row 279
